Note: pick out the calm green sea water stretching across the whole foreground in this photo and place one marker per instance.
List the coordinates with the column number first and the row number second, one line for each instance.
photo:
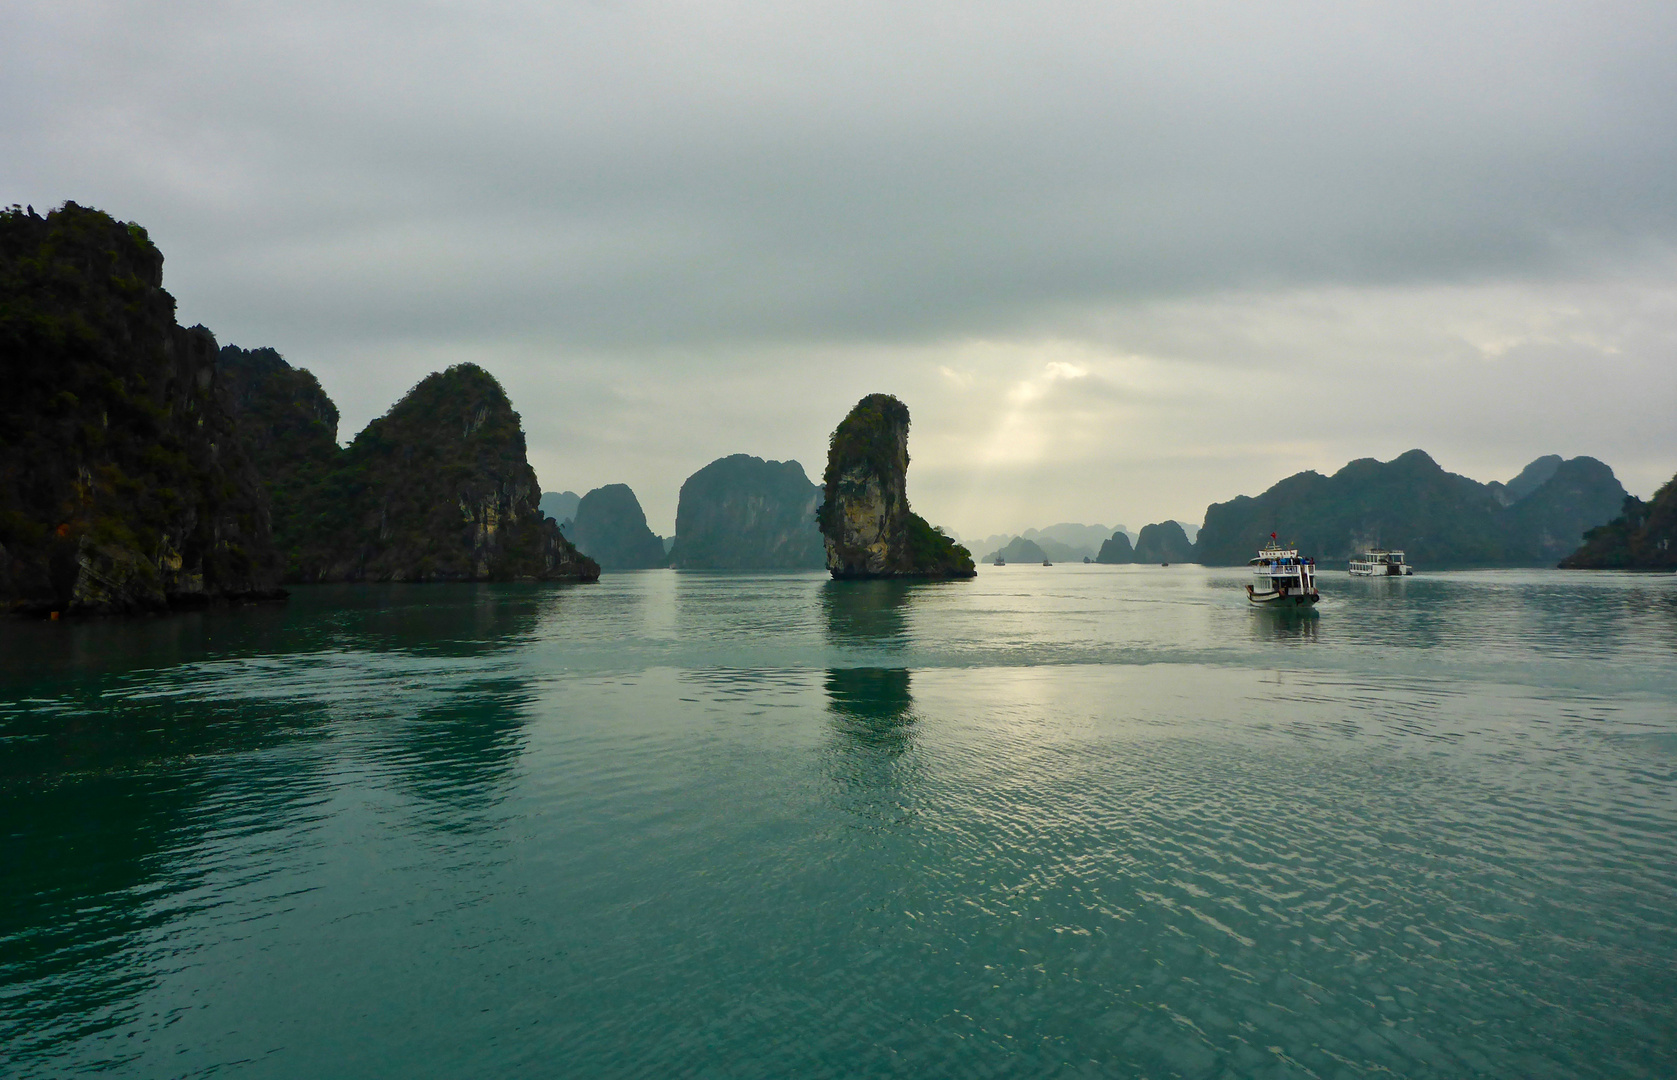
column 1074, row 821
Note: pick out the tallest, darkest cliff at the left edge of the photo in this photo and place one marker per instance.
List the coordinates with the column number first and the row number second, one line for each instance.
column 123, row 487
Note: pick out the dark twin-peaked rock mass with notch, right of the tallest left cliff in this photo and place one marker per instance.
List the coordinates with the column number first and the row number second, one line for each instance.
column 435, row 491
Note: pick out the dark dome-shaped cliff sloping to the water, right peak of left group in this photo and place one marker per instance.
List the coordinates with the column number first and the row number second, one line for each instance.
column 439, row 491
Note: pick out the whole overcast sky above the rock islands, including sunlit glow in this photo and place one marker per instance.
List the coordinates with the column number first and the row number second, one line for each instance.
column 1121, row 261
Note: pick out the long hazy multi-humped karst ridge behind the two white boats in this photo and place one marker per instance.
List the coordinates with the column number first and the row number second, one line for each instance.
column 1438, row 519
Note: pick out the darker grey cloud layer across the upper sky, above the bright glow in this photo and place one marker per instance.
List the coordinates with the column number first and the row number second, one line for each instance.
column 658, row 175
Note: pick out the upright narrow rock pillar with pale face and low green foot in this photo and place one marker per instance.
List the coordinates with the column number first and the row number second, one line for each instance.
column 866, row 521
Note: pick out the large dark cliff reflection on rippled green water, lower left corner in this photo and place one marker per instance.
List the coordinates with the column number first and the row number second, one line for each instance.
column 108, row 831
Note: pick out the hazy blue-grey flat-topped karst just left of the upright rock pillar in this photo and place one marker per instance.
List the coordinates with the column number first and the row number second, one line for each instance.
column 749, row 514
